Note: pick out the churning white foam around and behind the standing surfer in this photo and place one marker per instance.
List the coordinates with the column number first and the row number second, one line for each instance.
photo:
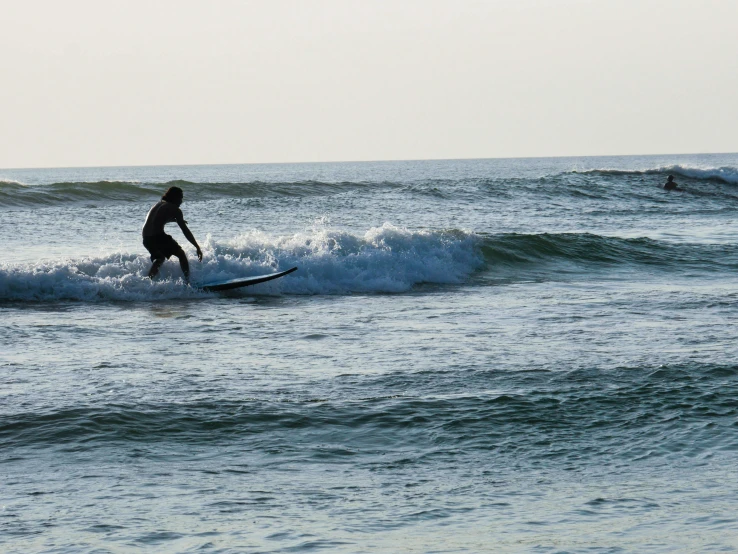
column 384, row 259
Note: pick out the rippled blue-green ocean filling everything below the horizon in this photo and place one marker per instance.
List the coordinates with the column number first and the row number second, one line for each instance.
column 503, row 355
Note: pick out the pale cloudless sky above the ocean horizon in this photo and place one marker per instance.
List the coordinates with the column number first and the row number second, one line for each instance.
column 139, row 82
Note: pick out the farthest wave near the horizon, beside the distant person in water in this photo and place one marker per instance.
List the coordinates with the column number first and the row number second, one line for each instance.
column 576, row 183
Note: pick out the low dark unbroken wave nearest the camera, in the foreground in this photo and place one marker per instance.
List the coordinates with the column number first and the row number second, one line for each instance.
column 584, row 405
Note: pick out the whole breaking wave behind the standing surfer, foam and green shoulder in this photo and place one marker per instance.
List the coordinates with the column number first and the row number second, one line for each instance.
column 385, row 259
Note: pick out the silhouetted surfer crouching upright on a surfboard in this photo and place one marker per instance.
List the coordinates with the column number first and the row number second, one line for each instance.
column 157, row 242
